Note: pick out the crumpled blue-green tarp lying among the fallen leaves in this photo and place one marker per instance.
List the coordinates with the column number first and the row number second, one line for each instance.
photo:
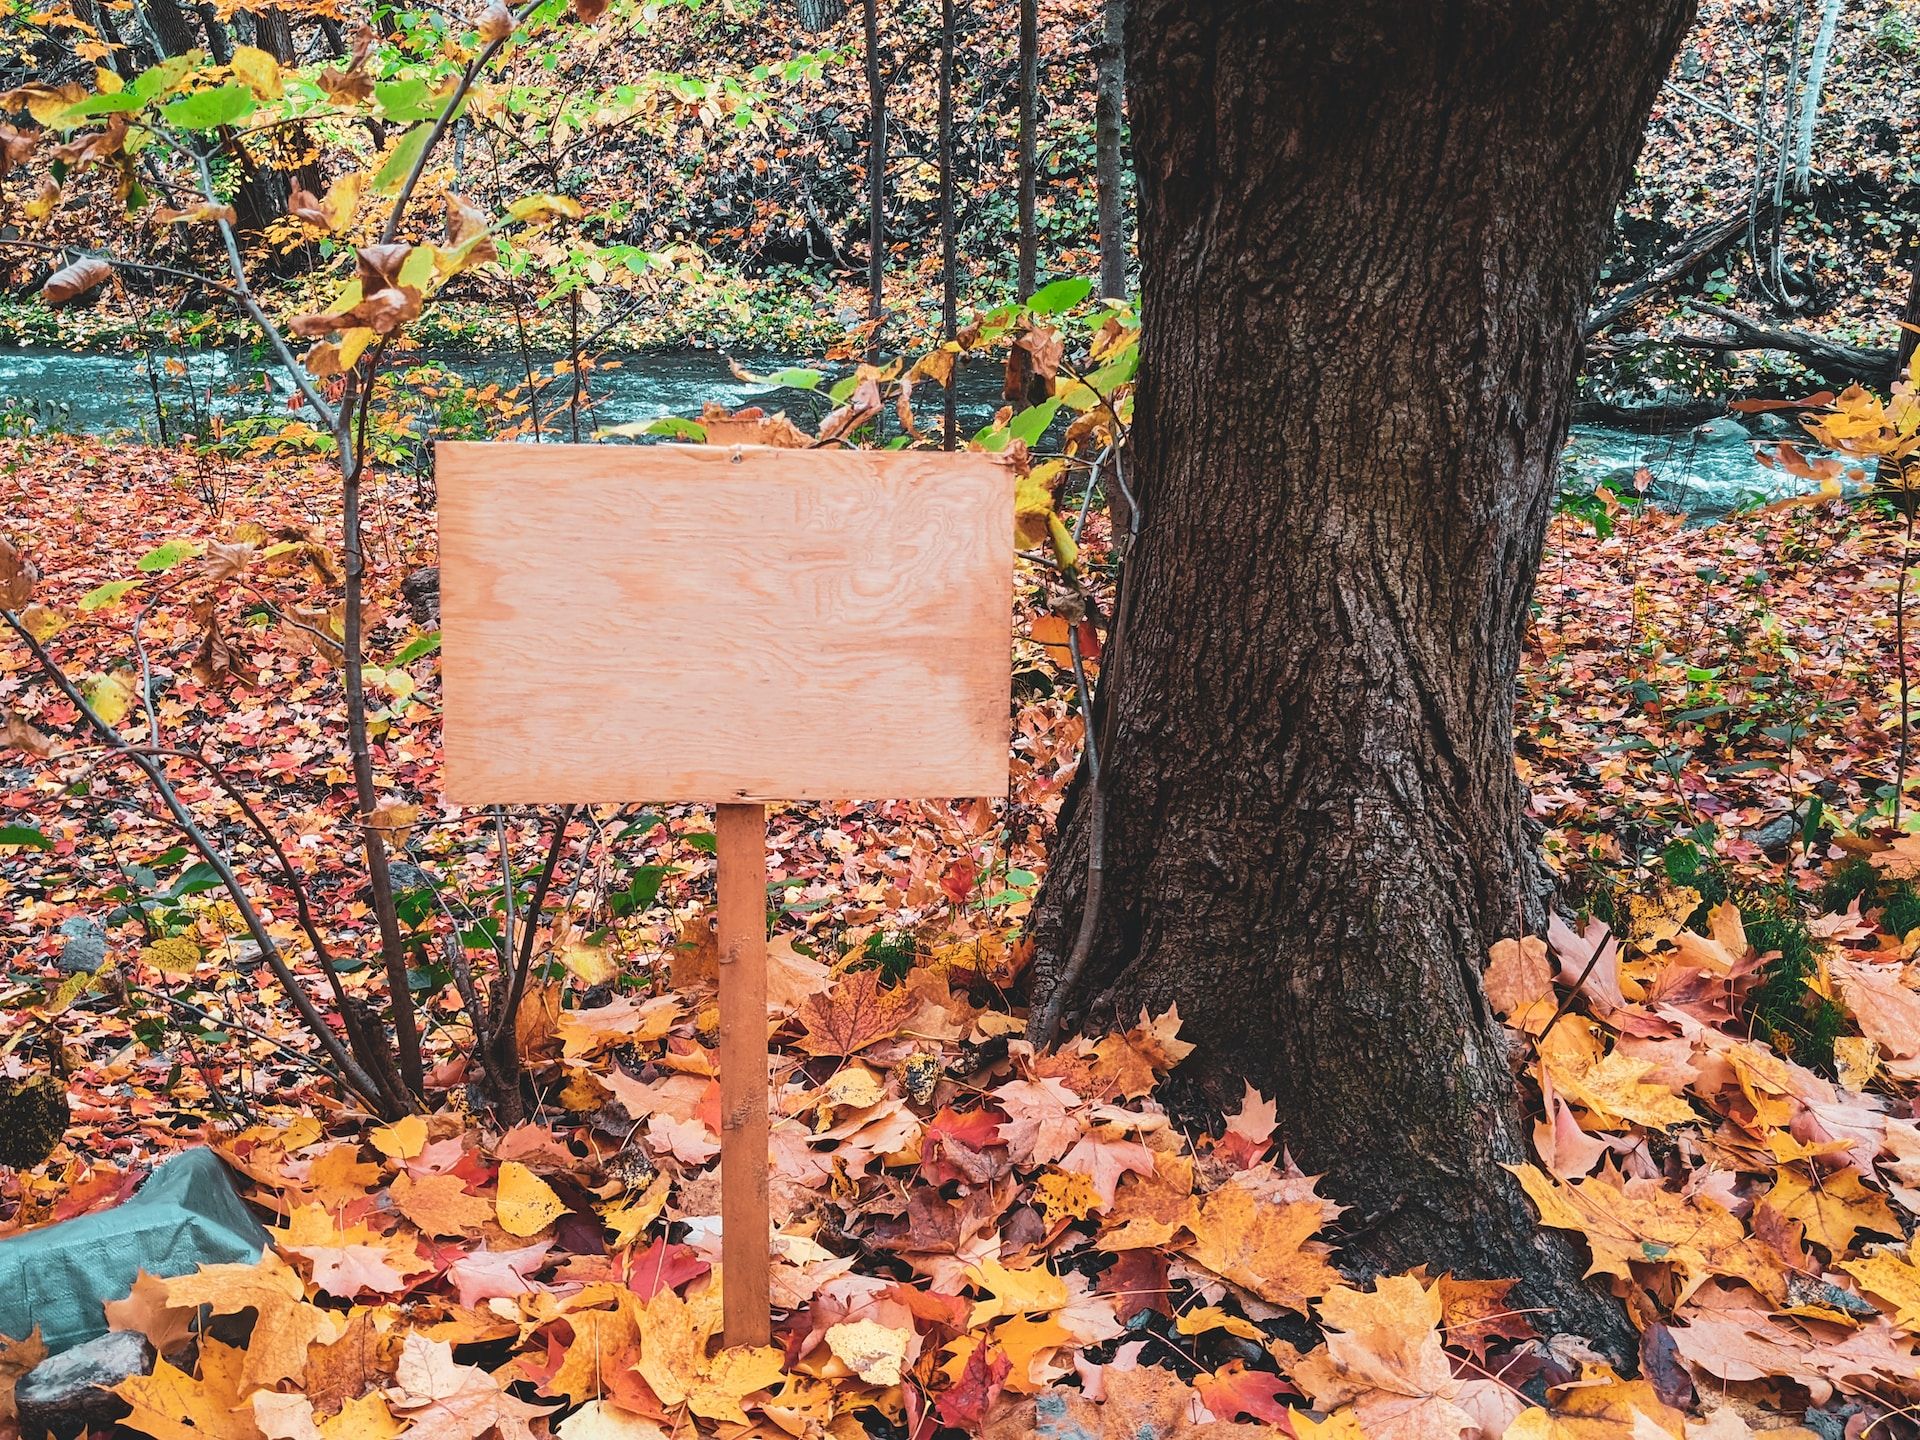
column 187, row 1214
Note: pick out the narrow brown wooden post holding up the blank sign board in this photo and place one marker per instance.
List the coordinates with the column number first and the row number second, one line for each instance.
column 740, row 850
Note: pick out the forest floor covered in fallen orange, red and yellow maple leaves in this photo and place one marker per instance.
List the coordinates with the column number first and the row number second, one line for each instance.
column 1719, row 1042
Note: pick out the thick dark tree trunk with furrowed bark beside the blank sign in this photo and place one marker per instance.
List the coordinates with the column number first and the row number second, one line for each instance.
column 1368, row 241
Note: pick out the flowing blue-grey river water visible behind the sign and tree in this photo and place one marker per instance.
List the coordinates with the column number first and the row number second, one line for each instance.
column 1706, row 471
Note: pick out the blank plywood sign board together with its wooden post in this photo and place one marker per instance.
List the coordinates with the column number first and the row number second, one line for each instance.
column 734, row 627
